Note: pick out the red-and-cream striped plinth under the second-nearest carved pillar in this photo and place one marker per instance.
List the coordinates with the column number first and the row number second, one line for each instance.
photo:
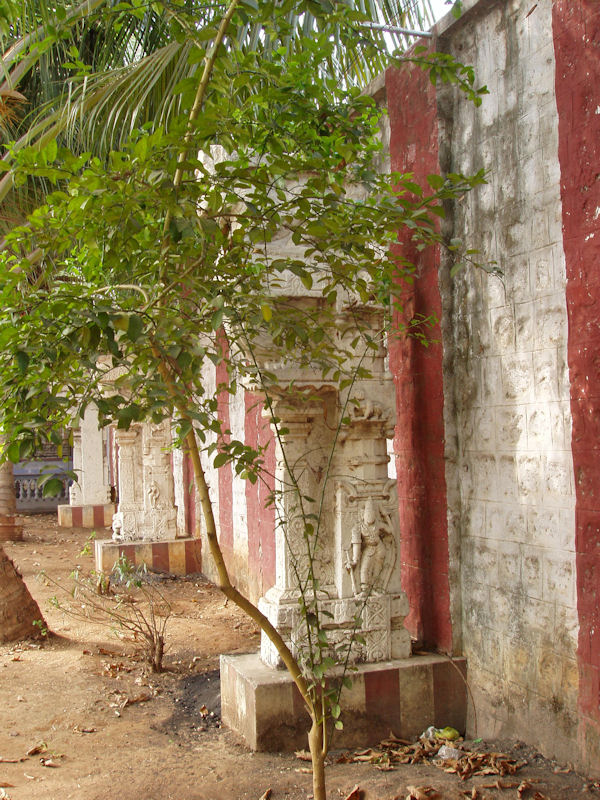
column 175, row 556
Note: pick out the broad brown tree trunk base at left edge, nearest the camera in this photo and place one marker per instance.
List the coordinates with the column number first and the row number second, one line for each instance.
column 18, row 609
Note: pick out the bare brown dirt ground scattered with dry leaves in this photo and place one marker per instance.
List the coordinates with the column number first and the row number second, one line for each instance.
column 108, row 728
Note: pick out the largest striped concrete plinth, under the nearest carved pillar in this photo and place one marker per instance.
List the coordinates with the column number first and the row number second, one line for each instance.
column 405, row 696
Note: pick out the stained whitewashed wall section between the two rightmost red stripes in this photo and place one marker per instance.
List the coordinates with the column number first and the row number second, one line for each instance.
column 508, row 423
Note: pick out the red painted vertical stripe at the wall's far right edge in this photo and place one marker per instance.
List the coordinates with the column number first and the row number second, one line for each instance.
column 576, row 31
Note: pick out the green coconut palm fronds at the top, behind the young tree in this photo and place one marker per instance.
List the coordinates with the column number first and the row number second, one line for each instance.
column 111, row 70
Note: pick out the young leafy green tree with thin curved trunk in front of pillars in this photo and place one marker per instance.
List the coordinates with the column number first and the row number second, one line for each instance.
column 141, row 268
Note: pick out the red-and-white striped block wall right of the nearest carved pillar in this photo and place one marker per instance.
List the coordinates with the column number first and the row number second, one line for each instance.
column 519, row 541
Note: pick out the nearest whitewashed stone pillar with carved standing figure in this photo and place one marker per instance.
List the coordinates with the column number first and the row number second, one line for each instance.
column 355, row 547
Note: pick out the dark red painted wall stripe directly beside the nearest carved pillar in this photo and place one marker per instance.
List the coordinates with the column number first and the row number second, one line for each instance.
column 417, row 370
